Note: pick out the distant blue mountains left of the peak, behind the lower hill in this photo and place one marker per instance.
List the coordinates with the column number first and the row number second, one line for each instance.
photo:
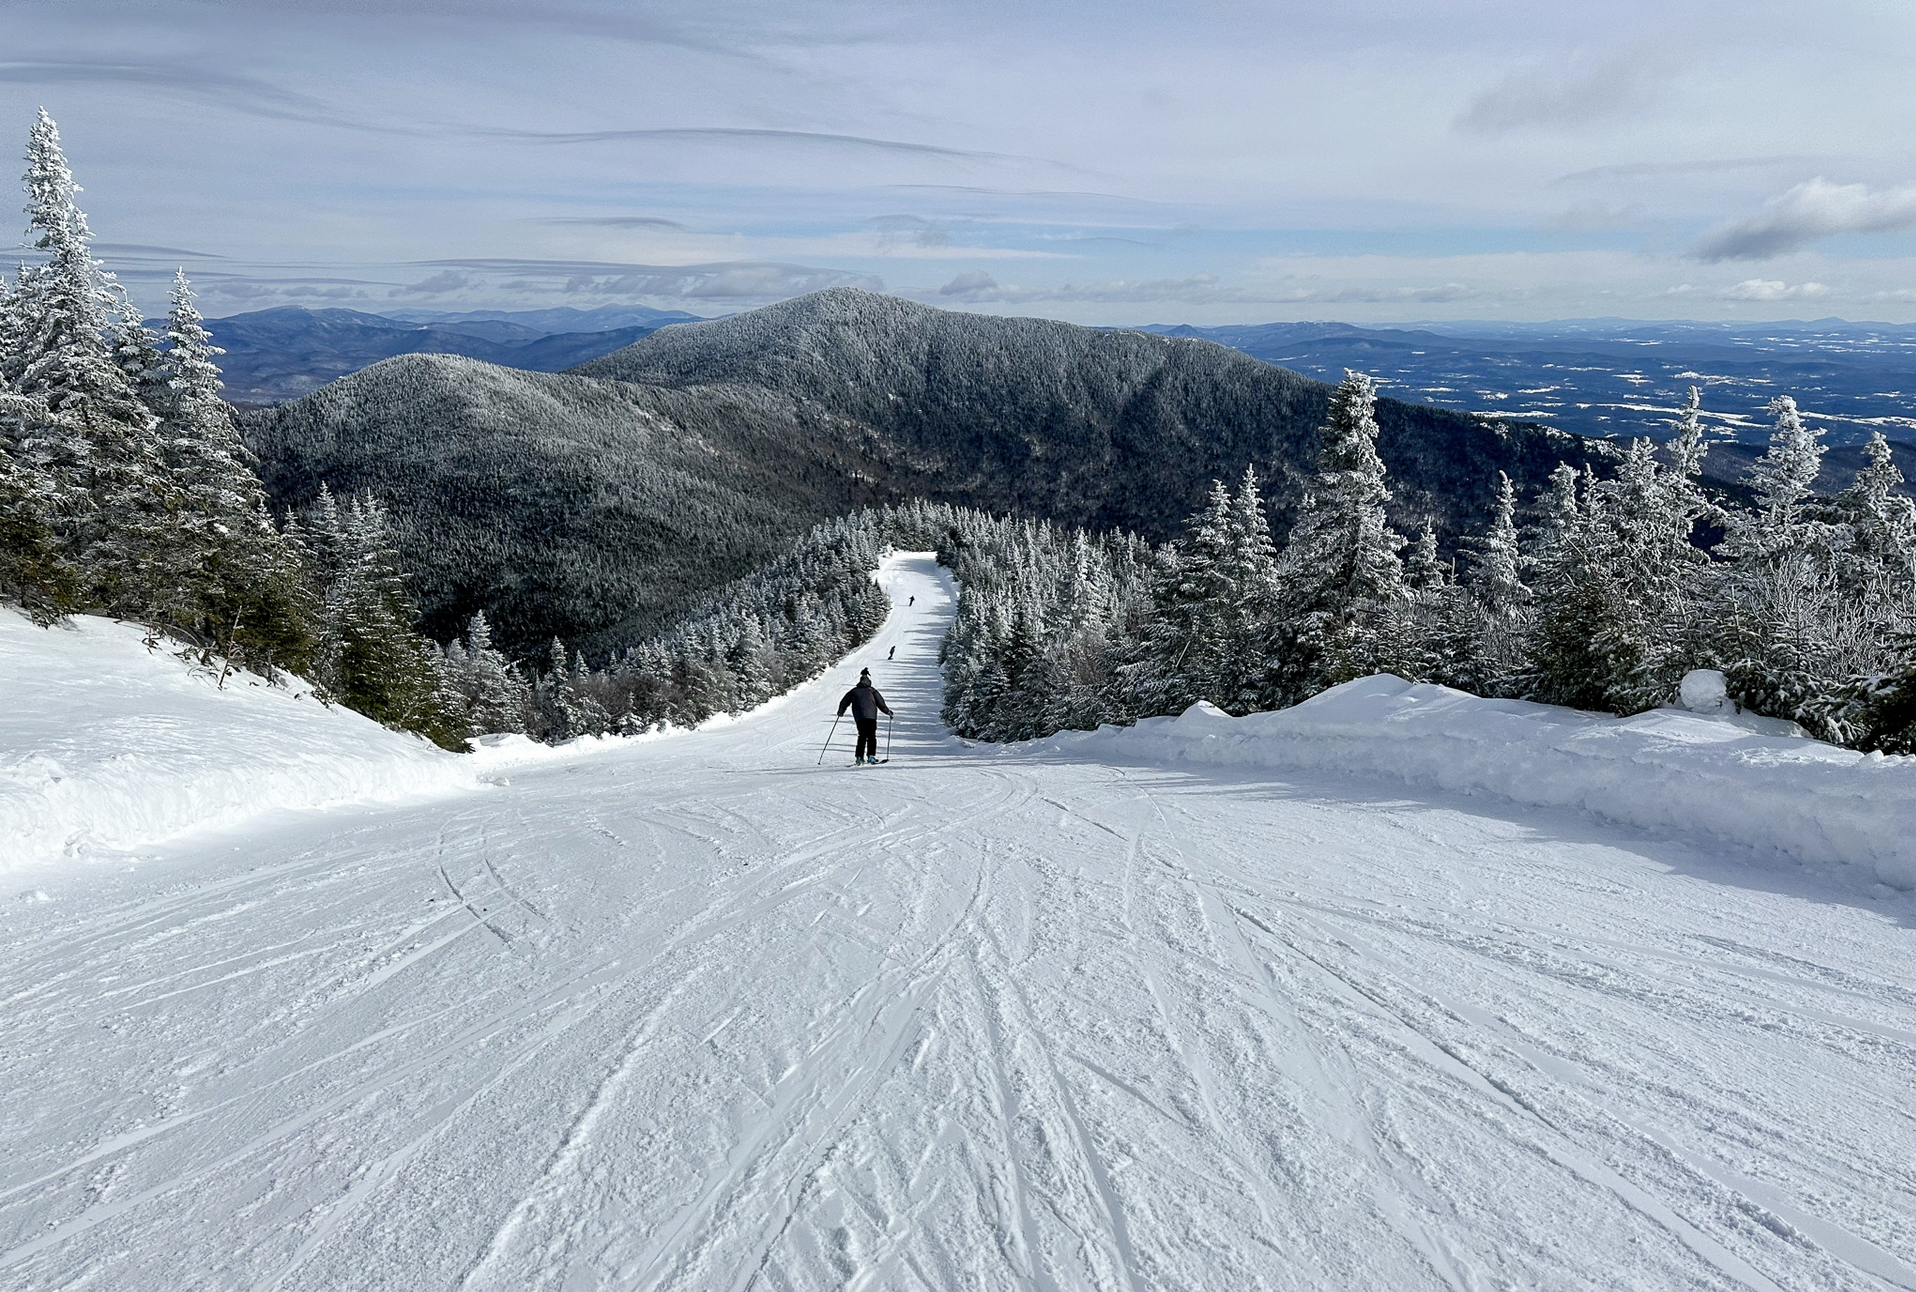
column 283, row 354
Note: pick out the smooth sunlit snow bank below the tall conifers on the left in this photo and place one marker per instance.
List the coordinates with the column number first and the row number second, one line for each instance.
column 110, row 745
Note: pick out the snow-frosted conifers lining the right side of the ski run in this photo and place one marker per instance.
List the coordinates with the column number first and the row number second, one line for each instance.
column 1599, row 593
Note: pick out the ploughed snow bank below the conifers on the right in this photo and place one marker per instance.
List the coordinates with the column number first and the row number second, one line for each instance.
column 1662, row 772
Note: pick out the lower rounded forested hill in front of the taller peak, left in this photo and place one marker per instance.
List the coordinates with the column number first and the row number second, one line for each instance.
column 560, row 505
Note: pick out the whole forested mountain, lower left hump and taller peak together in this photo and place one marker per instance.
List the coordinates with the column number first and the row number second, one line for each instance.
column 599, row 505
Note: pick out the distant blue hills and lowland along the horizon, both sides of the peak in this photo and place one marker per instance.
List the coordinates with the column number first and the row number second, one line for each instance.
column 1603, row 379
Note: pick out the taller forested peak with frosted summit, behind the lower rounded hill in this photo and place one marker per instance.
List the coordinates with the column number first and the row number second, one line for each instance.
column 1083, row 427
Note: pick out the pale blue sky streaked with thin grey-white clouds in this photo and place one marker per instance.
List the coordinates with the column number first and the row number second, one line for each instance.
column 1128, row 162
